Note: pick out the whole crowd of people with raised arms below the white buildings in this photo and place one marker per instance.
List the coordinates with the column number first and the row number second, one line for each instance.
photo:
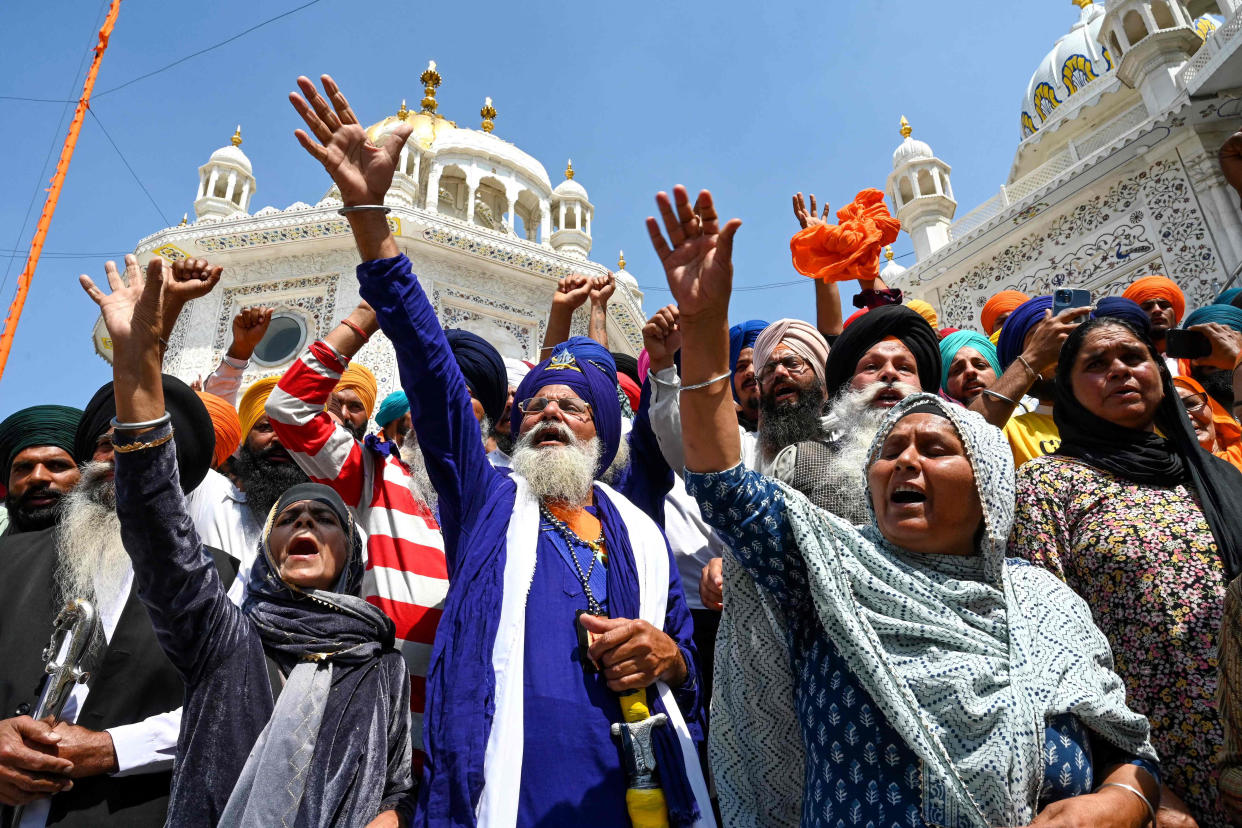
column 866, row 572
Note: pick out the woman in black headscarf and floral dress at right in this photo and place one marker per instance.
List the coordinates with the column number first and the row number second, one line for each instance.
column 1143, row 523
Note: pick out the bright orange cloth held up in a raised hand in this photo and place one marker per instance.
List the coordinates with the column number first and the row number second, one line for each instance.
column 849, row 250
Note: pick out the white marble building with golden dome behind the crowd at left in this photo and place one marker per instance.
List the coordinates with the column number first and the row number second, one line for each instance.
column 483, row 224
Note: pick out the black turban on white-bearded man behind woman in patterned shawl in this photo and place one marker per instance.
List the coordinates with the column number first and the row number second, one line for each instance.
column 875, row 326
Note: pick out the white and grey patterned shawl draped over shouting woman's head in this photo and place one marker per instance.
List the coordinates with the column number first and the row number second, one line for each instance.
column 968, row 657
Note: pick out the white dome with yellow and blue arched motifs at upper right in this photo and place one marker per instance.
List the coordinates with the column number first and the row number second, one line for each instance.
column 1075, row 61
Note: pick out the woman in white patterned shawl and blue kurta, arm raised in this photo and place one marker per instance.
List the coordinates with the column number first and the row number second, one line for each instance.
column 935, row 682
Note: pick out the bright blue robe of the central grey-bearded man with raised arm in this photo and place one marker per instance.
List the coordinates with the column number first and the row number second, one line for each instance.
column 572, row 769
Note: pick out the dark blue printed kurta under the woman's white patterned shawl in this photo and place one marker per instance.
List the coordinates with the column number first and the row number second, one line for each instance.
column 859, row 769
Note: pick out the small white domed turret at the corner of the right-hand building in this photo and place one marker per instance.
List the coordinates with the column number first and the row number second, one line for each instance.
column 920, row 189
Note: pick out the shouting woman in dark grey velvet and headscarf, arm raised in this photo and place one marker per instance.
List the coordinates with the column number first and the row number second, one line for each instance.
column 297, row 707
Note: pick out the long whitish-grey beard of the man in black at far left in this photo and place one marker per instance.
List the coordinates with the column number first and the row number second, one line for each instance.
column 91, row 559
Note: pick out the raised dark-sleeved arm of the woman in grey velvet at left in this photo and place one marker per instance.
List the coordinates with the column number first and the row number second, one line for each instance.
column 176, row 577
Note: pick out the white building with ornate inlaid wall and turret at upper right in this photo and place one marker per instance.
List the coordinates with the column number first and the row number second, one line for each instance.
column 1115, row 176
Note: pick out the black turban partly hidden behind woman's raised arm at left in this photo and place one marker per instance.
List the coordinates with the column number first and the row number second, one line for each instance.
column 194, row 434
